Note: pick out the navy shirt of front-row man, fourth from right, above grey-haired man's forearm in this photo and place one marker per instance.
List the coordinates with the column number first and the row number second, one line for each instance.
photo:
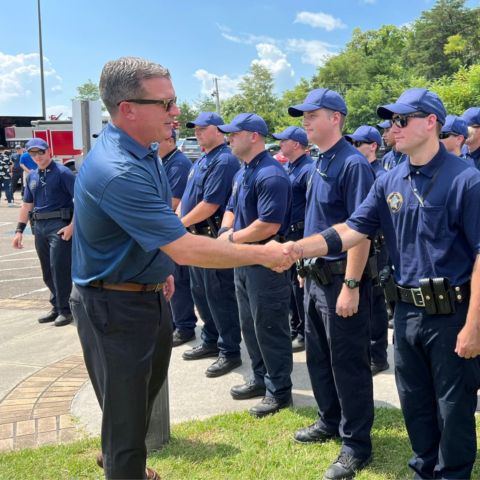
column 210, row 179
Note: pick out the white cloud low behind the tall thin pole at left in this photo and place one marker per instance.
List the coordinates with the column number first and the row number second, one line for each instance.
column 20, row 76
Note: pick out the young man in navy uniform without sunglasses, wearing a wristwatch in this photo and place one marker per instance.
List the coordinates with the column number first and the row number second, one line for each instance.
column 338, row 295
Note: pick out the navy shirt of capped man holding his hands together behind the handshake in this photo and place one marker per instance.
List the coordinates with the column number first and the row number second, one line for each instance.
column 261, row 190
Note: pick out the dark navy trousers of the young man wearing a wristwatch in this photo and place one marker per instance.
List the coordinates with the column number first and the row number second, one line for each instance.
column 338, row 362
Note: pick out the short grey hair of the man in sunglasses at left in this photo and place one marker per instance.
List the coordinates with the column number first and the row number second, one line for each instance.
column 123, row 79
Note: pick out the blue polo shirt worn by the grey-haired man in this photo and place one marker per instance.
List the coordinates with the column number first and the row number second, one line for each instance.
column 122, row 214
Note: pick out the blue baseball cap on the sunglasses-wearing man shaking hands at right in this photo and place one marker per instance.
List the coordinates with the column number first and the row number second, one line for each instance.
column 415, row 100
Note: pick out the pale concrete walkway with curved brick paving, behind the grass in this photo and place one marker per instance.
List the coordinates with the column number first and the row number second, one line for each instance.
column 45, row 395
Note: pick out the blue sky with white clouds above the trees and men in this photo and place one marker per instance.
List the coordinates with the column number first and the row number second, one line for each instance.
column 196, row 40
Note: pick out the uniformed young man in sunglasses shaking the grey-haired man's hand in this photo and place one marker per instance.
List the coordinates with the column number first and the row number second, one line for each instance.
column 434, row 242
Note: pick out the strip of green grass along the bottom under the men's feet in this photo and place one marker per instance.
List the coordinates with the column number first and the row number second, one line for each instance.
column 231, row 446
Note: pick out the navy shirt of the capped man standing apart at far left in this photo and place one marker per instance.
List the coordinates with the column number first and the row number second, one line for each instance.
column 50, row 189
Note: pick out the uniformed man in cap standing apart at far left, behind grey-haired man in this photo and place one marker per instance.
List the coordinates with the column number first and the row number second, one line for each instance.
column 49, row 197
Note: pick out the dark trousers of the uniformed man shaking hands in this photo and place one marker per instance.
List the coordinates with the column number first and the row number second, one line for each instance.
column 437, row 390
